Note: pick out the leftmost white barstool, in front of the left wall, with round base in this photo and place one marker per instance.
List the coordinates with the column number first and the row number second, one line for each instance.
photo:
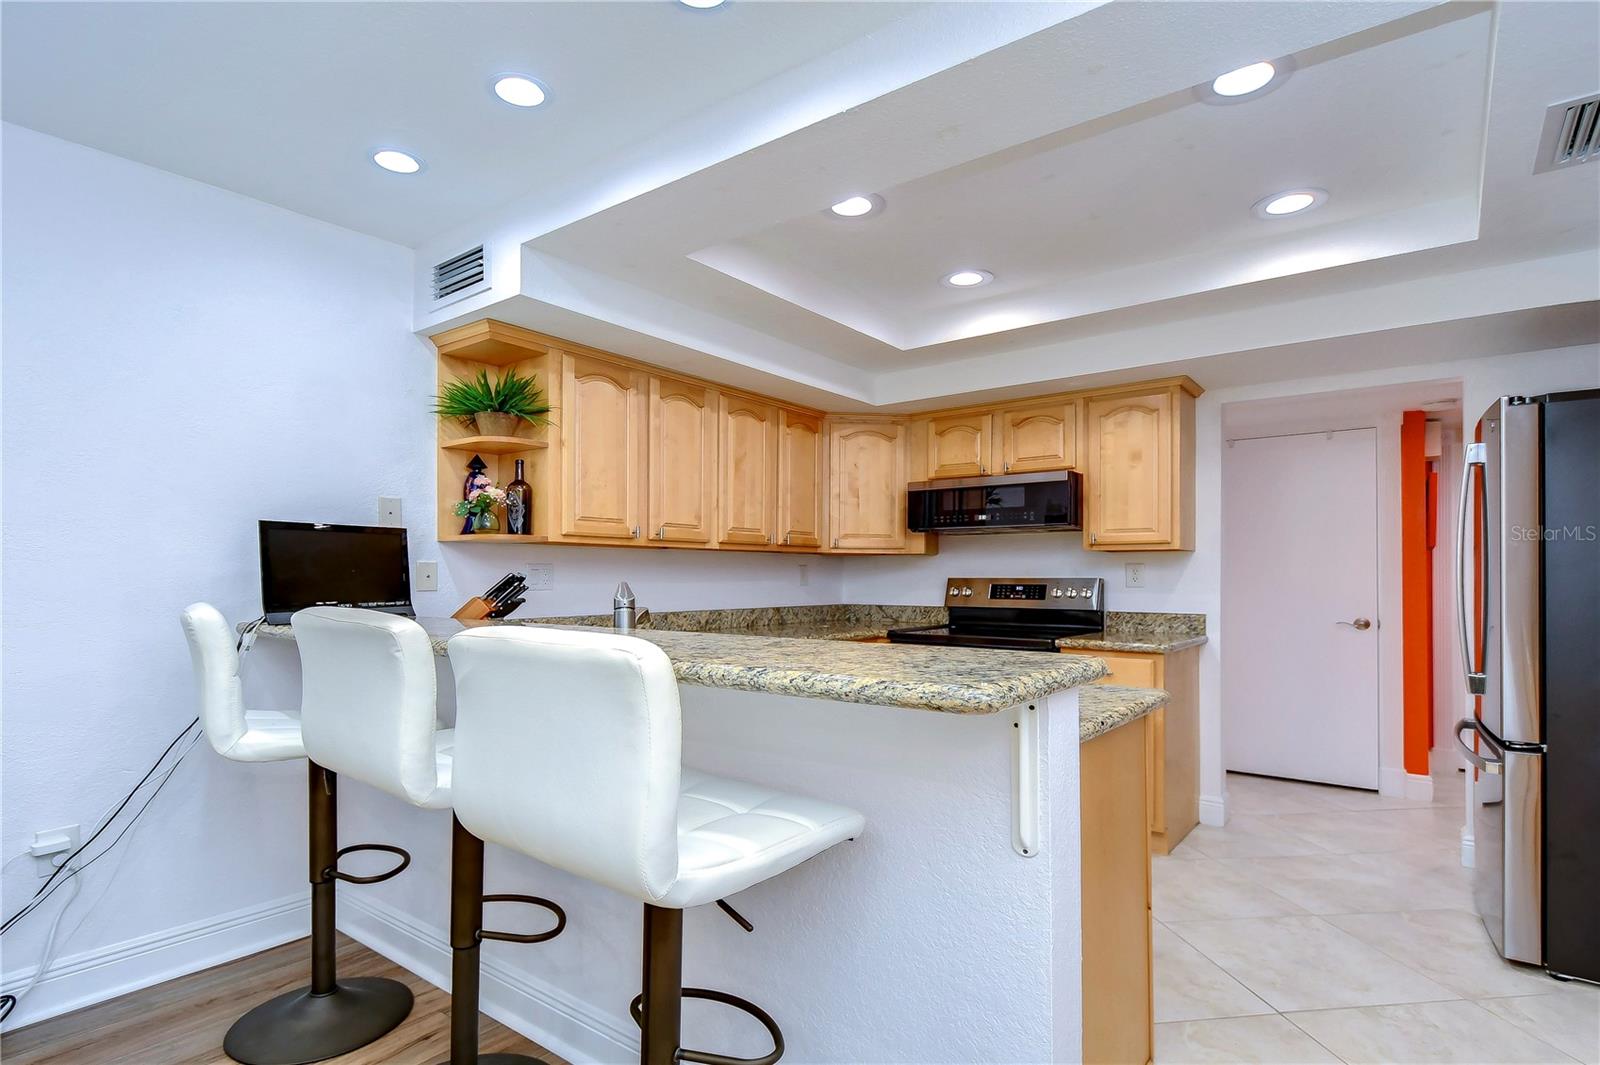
column 329, row 1018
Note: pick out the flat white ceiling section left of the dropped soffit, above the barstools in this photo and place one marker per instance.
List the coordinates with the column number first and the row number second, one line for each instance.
column 287, row 102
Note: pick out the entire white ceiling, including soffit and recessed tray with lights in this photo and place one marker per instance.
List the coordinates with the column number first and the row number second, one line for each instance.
column 668, row 199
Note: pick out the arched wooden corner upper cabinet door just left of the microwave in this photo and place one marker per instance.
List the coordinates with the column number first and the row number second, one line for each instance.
column 866, row 485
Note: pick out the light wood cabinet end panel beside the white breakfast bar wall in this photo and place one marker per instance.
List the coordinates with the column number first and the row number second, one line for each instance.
column 1116, row 885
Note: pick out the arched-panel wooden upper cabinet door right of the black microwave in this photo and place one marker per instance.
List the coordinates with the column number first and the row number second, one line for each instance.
column 1132, row 473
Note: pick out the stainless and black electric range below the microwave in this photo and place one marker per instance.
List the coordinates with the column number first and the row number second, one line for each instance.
column 1015, row 613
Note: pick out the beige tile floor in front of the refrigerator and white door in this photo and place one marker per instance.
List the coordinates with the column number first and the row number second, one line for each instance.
column 1330, row 925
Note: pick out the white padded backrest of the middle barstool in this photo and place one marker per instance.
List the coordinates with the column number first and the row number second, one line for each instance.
column 369, row 698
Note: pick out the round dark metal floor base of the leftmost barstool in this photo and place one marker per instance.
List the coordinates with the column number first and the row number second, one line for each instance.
column 298, row 1027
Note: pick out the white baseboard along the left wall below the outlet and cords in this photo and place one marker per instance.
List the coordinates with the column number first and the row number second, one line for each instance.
column 95, row 976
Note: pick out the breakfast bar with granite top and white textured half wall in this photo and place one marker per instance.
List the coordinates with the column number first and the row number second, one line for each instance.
column 969, row 874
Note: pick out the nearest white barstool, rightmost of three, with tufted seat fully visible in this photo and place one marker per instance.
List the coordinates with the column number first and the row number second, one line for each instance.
column 569, row 751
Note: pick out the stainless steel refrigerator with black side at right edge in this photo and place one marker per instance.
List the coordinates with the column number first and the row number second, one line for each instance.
column 1529, row 562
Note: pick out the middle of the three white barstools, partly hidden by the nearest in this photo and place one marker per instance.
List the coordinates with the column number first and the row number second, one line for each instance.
column 370, row 712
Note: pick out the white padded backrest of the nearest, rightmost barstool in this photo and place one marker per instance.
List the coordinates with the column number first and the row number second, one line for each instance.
column 569, row 751
